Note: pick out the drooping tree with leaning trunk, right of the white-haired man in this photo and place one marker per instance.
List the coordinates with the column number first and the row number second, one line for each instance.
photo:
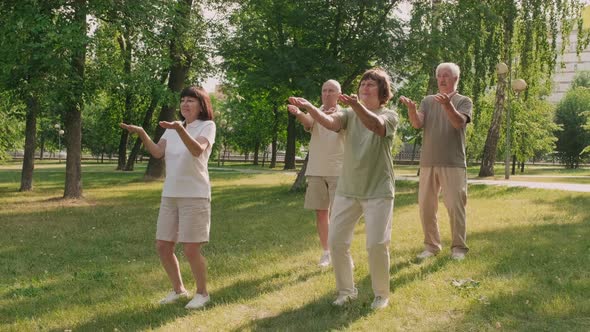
column 529, row 29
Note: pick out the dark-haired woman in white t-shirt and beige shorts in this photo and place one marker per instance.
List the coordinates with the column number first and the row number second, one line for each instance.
column 185, row 209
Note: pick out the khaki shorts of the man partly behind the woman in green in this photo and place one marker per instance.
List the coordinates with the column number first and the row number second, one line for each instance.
column 320, row 192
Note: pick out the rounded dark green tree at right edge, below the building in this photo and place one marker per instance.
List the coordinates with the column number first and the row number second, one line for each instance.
column 570, row 115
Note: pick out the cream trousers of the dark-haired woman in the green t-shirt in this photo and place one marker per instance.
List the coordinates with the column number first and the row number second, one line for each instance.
column 345, row 214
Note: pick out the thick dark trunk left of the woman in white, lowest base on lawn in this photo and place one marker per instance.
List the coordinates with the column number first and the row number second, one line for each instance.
column 73, row 116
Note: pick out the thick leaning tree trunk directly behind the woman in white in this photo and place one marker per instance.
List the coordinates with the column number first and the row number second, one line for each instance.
column 180, row 64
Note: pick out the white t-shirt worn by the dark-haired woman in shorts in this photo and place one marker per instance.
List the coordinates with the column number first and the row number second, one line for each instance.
column 187, row 175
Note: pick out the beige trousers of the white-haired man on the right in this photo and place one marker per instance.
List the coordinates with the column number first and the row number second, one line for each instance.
column 452, row 181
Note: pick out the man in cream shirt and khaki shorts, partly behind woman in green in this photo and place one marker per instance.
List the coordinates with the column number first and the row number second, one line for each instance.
column 324, row 166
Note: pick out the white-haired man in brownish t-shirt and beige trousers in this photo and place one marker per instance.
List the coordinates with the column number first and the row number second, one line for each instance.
column 444, row 117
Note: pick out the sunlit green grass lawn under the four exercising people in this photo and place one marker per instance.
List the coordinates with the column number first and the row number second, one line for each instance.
column 91, row 265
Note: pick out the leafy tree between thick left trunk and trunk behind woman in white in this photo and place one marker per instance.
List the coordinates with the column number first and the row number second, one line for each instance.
column 129, row 61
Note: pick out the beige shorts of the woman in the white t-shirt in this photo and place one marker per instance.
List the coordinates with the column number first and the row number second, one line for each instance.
column 184, row 219
